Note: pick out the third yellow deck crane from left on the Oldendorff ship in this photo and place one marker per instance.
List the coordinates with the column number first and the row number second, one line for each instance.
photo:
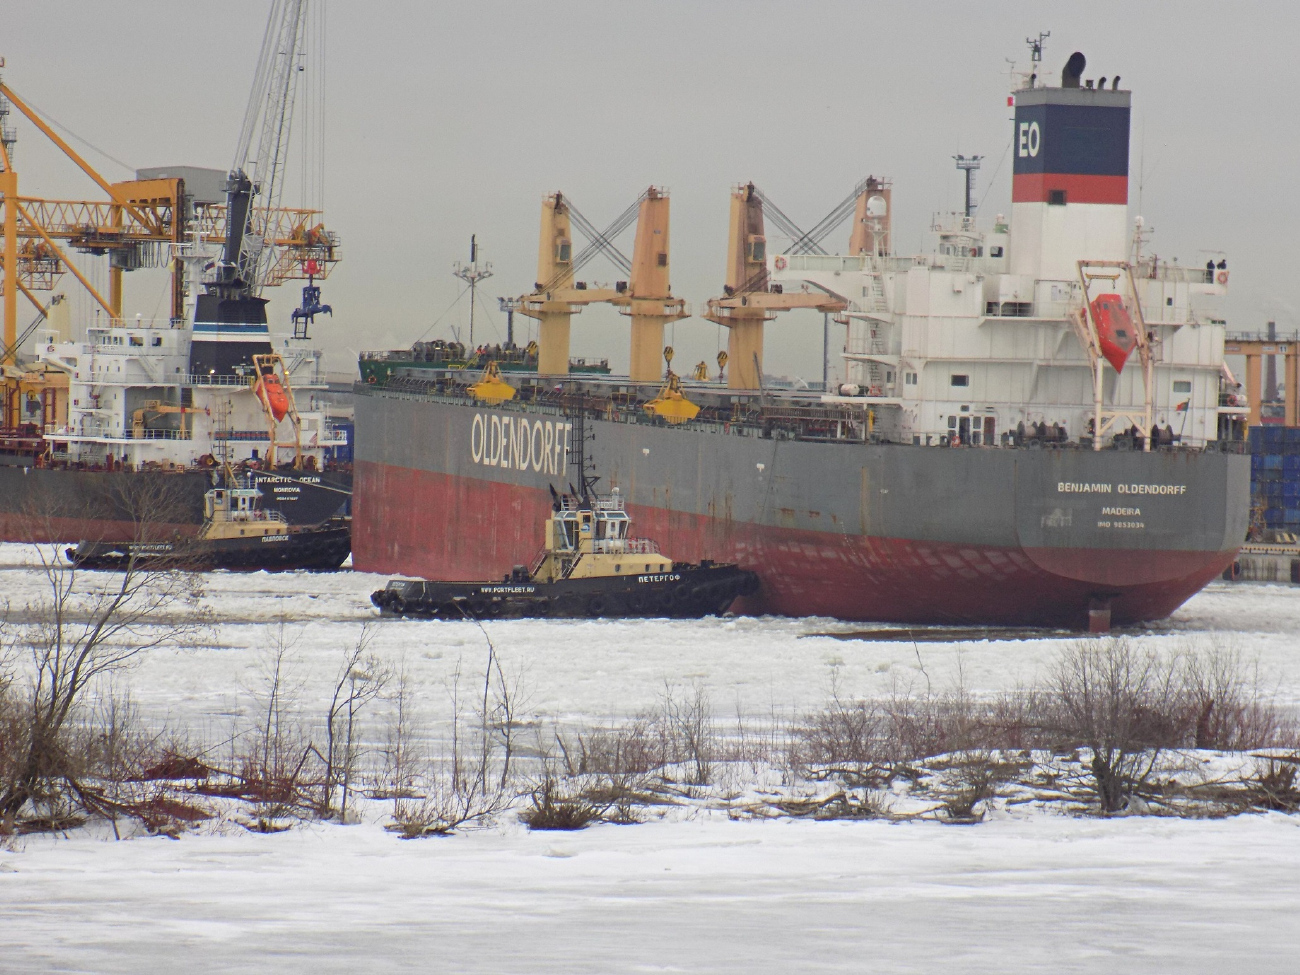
column 748, row 301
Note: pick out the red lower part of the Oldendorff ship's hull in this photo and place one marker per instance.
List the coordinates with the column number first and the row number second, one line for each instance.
column 443, row 527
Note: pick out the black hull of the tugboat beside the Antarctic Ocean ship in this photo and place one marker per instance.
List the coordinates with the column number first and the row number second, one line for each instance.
column 318, row 549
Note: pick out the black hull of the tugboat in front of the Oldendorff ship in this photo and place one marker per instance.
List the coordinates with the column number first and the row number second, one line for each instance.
column 687, row 592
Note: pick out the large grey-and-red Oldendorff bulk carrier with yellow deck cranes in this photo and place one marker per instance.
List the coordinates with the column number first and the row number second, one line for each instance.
column 985, row 463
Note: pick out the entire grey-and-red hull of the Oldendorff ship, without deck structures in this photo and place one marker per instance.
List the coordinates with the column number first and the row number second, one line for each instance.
column 448, row 489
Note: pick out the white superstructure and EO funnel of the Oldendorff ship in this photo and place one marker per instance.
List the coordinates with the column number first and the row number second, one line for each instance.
column 983, row 333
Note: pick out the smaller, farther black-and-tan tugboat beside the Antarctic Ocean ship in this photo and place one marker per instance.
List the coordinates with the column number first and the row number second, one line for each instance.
column 237, row 535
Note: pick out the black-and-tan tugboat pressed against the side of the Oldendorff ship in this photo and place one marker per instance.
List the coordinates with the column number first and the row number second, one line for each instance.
column 590, row 567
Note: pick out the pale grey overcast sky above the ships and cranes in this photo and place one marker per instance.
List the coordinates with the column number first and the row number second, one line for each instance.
column 450, row 119
